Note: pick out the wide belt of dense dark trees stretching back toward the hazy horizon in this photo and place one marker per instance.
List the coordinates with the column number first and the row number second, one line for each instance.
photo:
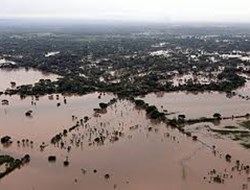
column 128, row 64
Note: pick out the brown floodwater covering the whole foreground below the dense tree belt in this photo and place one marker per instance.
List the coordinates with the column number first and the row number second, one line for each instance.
column 144, row 155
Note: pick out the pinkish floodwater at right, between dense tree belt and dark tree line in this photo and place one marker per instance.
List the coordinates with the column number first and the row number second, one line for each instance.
column 199, row 105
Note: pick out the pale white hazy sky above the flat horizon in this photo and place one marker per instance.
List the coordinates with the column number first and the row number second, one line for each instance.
column 148, row 10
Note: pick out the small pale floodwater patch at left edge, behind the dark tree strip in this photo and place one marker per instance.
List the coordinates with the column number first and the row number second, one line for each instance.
column 22, row 76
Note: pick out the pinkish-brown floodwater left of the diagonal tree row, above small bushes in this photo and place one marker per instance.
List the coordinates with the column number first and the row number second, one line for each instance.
column 47, row 118
